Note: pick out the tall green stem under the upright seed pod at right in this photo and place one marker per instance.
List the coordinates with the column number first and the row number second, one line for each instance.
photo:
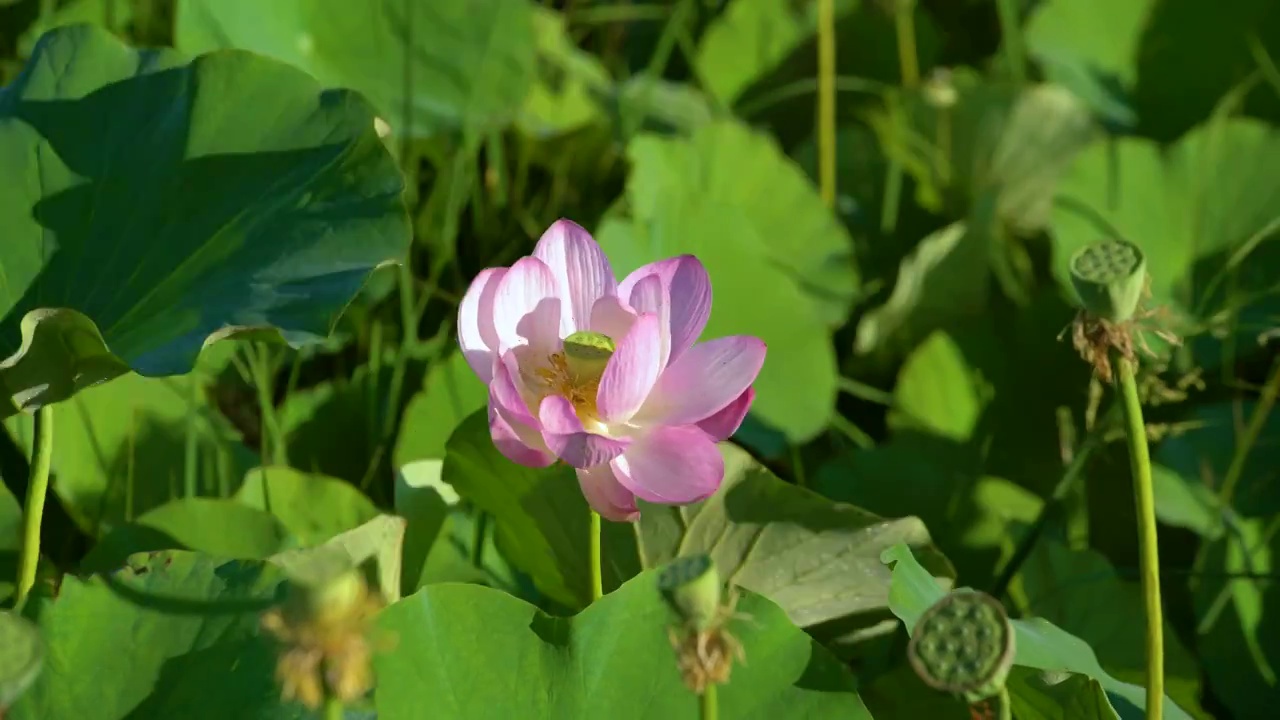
column 1145, row 500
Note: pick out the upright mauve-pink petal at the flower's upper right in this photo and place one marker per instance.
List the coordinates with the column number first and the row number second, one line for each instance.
column 687, row 291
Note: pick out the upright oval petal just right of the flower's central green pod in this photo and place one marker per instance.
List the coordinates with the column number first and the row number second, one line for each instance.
column 632, row 371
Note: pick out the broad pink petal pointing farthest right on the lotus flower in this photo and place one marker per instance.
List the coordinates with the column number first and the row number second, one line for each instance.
column 705, row 381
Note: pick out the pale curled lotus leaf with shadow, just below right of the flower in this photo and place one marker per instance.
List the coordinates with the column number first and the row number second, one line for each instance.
column 819, row 560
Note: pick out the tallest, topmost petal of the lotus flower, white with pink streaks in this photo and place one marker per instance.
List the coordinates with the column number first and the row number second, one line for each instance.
column 582, row 271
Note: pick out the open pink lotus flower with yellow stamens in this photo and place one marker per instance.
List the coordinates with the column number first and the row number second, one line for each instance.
column 609, row 377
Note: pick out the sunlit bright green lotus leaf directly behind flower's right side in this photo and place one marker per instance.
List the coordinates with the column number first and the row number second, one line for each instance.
column 780, row 262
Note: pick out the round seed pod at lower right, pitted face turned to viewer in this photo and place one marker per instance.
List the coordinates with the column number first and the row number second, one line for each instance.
column 963, row 645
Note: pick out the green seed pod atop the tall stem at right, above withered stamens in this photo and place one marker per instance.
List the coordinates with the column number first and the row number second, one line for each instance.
column 1109, row 277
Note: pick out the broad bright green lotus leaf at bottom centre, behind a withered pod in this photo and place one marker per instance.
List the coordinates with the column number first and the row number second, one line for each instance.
column 612, row 659
